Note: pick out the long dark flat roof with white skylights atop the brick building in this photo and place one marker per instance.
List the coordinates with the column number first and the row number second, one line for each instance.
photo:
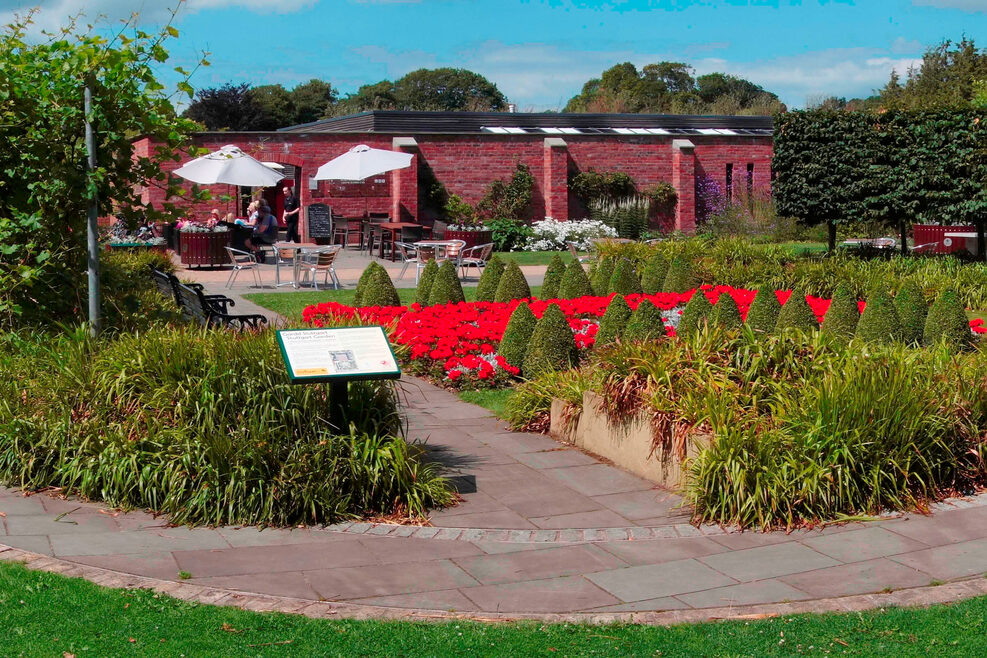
column 538, row 123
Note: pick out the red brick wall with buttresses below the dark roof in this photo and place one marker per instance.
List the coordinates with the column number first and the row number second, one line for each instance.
column 467, row 164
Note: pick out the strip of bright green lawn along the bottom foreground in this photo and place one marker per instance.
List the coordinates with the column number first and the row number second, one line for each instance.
column 44, row 614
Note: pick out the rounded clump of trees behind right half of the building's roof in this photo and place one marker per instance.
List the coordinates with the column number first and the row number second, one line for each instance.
column 671, row 88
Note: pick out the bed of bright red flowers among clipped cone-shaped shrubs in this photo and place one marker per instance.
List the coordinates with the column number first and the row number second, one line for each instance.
column 458, row 342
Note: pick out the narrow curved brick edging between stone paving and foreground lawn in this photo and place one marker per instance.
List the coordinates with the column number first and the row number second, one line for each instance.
column 919, row 597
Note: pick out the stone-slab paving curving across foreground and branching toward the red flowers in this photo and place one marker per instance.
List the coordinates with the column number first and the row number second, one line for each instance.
column 543, row 530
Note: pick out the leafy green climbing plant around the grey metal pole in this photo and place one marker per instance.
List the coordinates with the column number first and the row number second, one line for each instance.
column 44, row 184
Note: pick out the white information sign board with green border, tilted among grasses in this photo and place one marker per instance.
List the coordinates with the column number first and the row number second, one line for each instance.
column 337, row 354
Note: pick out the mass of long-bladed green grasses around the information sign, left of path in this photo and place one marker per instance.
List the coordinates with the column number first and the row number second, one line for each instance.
column 204, row 426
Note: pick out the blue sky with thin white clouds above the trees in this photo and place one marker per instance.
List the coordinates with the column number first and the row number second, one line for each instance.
column 539, row 52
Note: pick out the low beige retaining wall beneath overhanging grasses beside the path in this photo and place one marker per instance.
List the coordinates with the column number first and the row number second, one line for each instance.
column 628, row 445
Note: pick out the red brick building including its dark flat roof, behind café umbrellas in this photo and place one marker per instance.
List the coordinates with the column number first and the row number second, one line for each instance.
column 467, row 151
